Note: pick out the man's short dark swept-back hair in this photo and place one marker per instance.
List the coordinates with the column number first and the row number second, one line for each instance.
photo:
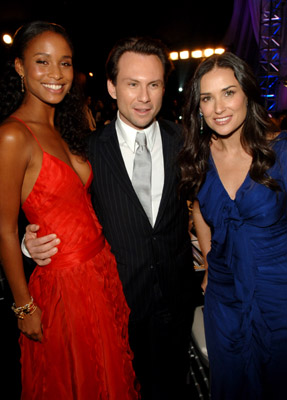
column 140, row 45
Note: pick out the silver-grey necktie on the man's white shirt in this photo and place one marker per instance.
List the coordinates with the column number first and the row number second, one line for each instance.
column 141, row 179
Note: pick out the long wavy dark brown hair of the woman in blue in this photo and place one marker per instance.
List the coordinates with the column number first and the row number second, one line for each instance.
column 194, row 156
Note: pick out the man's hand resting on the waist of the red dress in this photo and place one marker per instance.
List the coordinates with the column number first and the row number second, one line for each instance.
column 40, row 249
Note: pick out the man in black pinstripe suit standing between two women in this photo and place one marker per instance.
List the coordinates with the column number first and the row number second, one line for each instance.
column 154, row 258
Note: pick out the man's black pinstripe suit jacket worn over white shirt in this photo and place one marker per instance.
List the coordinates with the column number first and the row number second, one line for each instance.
column 152, row 261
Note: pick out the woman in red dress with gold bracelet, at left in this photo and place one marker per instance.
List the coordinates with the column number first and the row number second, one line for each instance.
column 72, row 315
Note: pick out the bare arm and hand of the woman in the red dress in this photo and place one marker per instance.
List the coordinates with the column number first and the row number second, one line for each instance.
column 15, row 155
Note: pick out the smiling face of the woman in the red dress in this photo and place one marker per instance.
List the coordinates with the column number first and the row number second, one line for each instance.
column 47, row 68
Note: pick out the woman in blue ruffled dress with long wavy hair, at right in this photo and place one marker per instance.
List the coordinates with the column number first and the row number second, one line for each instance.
column 234, row 168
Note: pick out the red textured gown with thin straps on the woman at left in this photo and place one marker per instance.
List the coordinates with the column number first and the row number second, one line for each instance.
column 85, row 353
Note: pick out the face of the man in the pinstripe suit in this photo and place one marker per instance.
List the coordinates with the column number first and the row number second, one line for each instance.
column 139, row 88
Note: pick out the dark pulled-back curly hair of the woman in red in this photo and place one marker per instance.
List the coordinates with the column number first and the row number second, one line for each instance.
column 70, row 119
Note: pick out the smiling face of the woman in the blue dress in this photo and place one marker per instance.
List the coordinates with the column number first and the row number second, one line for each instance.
column 222, row 101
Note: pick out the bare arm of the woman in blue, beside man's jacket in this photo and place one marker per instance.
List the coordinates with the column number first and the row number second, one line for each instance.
column 203, row 234
